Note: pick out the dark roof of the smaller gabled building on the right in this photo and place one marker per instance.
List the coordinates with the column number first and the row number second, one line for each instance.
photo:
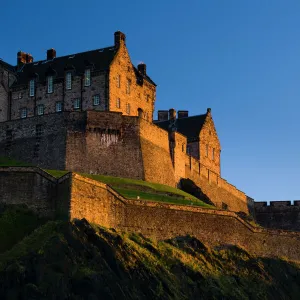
column 189, row 126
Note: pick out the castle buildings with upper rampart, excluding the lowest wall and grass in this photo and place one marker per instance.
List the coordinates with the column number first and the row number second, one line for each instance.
column 92, row 112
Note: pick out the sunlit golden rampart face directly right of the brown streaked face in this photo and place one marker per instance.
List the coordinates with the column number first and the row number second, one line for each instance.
column 157, row 162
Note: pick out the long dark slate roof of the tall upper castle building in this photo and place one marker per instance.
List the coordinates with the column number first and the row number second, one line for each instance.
column 99, row 60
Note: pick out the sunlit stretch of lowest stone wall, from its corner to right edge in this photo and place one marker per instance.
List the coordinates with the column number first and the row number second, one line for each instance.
column 162, row 221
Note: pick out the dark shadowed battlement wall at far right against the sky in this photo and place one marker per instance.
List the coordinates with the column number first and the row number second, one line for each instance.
column 278, row 214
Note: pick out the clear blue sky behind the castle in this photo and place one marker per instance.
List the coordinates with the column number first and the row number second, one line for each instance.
column 241, row 58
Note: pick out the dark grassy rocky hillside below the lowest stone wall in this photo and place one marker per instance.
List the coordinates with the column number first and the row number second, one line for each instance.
column 78, row 260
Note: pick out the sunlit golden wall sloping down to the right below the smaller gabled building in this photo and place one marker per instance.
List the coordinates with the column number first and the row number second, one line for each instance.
column 221, row 193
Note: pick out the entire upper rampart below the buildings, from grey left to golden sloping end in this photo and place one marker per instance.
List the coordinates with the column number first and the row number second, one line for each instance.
column 110, row 143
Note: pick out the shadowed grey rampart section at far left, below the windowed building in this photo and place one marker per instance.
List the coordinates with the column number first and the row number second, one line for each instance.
column 38, row 140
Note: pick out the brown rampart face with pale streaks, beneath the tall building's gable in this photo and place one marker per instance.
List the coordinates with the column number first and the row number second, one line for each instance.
column 106, row 143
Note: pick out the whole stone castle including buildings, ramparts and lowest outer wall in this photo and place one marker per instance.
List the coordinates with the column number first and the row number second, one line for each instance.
column 92, row 113
